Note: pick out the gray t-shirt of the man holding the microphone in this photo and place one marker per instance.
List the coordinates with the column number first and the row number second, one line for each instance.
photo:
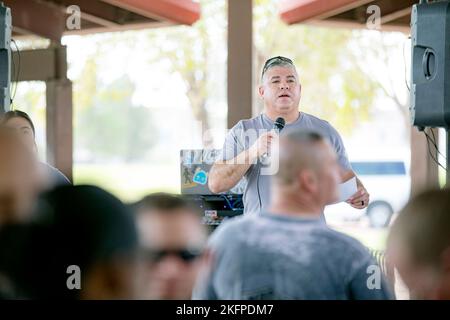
column 245, row 133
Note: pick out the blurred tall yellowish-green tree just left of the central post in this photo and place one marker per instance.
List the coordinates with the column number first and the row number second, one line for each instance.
column 188, row 50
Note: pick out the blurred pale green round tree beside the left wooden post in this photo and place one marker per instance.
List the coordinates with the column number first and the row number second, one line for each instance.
column 111, row 127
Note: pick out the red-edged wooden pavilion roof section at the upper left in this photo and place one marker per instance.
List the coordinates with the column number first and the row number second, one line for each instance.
column 47, row 18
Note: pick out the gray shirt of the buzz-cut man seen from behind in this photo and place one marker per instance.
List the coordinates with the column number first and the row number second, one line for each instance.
column 284, row 257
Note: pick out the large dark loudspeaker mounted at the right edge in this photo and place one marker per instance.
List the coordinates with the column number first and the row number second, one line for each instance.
column 430, row 70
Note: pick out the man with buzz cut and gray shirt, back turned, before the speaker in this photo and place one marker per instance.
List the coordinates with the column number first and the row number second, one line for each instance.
column 288, row 251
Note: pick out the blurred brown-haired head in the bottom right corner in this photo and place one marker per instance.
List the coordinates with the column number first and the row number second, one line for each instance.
column 419, row 245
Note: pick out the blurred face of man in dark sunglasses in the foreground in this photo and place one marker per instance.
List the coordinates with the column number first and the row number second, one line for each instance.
column 172, row 241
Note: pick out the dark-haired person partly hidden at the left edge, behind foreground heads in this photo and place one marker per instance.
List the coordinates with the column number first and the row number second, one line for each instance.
column 22, row 123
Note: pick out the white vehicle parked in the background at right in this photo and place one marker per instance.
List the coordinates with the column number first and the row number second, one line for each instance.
column 388, row 183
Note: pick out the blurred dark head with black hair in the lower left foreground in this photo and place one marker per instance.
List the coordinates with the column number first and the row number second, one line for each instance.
column 80, row 245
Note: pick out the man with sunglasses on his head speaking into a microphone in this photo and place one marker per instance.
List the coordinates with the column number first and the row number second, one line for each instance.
column 249, row 142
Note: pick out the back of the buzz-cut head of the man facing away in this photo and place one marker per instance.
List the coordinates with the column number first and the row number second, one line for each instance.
column 299, row 150
